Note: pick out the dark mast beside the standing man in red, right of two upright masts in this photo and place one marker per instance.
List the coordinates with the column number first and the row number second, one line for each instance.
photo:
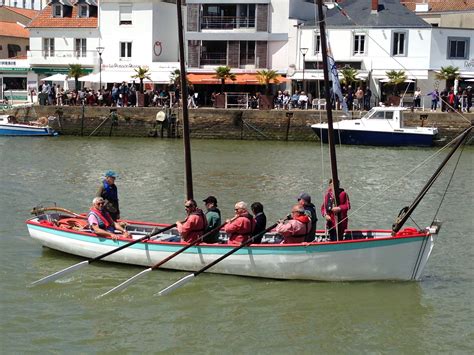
column 332, row 147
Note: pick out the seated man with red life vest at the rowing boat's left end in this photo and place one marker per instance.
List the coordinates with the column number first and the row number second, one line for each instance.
column 102, row 223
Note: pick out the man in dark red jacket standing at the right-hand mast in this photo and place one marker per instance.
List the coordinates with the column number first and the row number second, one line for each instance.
column 330, row 211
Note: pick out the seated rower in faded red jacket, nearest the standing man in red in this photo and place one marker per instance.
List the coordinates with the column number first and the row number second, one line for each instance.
column 295, row 229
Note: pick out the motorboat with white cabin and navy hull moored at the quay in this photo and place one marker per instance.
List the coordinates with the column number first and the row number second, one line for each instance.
column 381, row 126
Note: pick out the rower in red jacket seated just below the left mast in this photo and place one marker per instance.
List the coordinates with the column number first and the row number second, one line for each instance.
column 194, row 225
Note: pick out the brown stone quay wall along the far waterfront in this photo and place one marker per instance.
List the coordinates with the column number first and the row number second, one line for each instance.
column 213, row 123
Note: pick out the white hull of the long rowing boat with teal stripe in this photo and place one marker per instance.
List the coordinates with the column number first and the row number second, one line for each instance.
column 379, row 258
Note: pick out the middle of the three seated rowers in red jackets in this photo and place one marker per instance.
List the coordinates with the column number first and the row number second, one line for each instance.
column 240, row 228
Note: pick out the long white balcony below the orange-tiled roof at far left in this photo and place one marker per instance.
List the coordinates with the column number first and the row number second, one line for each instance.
column 63, row 57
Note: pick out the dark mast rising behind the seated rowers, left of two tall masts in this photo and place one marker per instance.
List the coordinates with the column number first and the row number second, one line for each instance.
column 184, row 100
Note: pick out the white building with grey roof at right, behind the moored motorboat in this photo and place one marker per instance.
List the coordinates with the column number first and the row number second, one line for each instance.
column 383, row 38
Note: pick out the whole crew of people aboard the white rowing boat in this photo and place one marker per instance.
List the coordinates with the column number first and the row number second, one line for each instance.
column 248, row 225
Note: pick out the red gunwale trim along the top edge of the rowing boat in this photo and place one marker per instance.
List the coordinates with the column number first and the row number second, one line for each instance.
column 417, row 234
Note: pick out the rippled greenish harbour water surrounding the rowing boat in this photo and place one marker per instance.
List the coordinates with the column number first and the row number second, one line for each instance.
column 226, row 314
